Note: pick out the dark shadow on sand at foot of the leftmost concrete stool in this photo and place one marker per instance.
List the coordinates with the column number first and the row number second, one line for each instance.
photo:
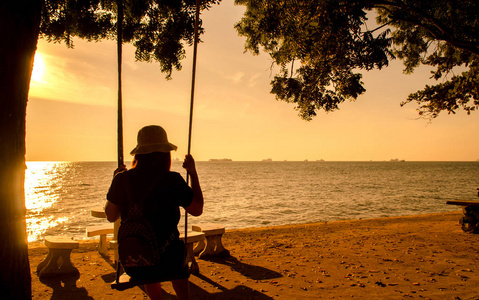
column 64, row 287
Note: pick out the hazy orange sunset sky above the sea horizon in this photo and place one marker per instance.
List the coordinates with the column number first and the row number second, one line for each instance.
column 71, row 114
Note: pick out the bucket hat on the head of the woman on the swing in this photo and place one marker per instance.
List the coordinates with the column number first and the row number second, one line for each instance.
column 152, row 138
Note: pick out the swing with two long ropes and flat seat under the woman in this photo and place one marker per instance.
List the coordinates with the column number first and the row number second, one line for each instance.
column 124, row 281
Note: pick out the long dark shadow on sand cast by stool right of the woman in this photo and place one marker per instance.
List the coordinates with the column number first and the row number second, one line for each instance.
column 250, row 271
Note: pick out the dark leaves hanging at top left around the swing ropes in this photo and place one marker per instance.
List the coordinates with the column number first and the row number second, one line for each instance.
column 157, row 28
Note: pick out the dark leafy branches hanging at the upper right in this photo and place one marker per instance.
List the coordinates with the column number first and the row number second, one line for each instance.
column 323, row 46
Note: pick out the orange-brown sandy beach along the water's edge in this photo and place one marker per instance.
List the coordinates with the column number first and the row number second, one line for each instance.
column 423, row 257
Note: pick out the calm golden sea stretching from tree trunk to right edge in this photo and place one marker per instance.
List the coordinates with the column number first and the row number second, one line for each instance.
column 59, row 195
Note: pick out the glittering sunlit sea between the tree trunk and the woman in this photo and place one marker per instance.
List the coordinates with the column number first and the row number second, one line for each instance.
column 59, row 196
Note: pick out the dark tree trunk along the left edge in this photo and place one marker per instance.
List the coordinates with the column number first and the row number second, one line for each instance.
column 19, row 27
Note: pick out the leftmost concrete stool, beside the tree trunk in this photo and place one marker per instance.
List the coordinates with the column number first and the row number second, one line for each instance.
column 58, row 261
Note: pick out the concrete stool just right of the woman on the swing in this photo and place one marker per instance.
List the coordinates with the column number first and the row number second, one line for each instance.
column 213, row 234
